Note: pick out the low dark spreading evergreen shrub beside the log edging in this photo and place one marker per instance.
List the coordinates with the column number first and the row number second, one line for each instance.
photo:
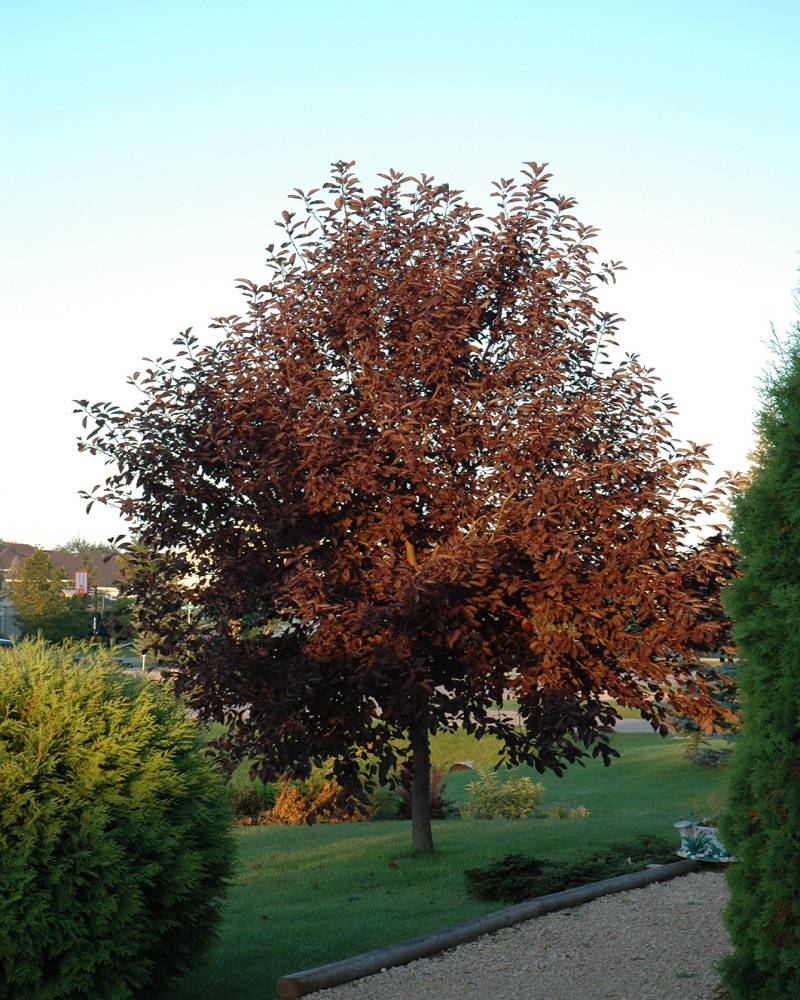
column 518, row 877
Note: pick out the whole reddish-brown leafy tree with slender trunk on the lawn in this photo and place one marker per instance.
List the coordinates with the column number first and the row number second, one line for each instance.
column 417, row 474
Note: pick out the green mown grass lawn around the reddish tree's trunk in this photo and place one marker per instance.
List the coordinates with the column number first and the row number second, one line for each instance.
column 305, row 896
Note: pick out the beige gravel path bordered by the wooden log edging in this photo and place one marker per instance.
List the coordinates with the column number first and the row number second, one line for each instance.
column 658, row 943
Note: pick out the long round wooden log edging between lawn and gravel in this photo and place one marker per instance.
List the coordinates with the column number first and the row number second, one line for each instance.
column 298, row 984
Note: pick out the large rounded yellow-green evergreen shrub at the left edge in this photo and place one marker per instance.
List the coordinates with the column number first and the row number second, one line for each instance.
column 115, row 836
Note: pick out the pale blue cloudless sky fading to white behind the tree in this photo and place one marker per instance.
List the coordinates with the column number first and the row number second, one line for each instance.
column 148, row 146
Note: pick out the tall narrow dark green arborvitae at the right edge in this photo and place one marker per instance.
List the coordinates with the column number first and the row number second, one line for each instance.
column 762, row 824
